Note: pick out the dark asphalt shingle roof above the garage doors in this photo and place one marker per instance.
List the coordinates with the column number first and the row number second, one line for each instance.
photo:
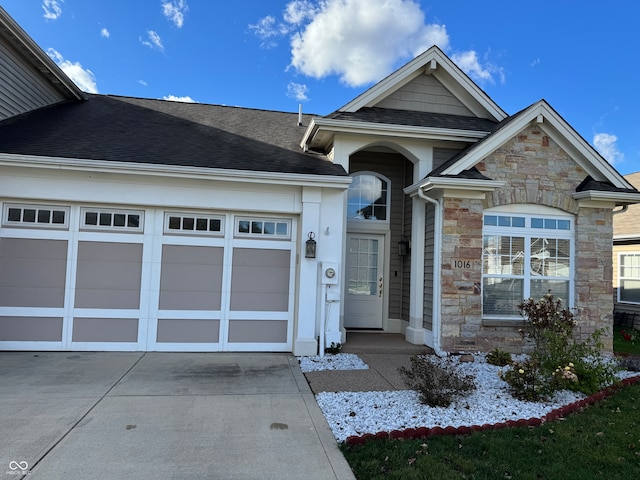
column 162, row 132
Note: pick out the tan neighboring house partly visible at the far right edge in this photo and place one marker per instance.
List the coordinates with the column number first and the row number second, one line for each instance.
column 626, row 259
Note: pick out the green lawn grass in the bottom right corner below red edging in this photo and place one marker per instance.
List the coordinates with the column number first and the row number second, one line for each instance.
column 602, row 441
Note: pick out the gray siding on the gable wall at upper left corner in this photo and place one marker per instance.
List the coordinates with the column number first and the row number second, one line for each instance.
column 22, row 88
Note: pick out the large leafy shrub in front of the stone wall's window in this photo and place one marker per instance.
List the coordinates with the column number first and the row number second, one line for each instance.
column 558, row 361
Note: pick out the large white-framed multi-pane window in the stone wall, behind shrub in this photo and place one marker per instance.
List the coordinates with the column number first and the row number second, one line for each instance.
column 525, row 255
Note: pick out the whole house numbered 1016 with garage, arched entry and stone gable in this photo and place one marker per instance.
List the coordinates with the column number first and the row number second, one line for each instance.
column 138, row 224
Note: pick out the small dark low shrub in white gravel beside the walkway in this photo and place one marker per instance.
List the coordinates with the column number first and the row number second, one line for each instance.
column 438, row 381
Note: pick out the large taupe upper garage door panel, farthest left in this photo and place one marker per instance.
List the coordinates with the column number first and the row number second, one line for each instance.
column 33, row 272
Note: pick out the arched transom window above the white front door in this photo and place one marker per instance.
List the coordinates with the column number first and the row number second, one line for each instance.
column 368, row 197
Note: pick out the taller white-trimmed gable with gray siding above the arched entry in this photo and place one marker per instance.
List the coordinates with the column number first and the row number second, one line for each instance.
column 445, row 80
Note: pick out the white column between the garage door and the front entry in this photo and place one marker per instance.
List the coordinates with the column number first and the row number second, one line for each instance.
column 305, row 342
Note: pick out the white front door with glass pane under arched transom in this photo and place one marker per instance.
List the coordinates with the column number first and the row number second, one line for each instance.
column 365, row 281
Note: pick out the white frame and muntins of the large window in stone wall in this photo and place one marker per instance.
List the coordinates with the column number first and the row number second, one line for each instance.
column 528, row 232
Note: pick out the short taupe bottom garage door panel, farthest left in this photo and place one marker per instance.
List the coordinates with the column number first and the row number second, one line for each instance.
column 30, row 329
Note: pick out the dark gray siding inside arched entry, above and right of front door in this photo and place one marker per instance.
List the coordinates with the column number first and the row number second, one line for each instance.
column 397, row 169
